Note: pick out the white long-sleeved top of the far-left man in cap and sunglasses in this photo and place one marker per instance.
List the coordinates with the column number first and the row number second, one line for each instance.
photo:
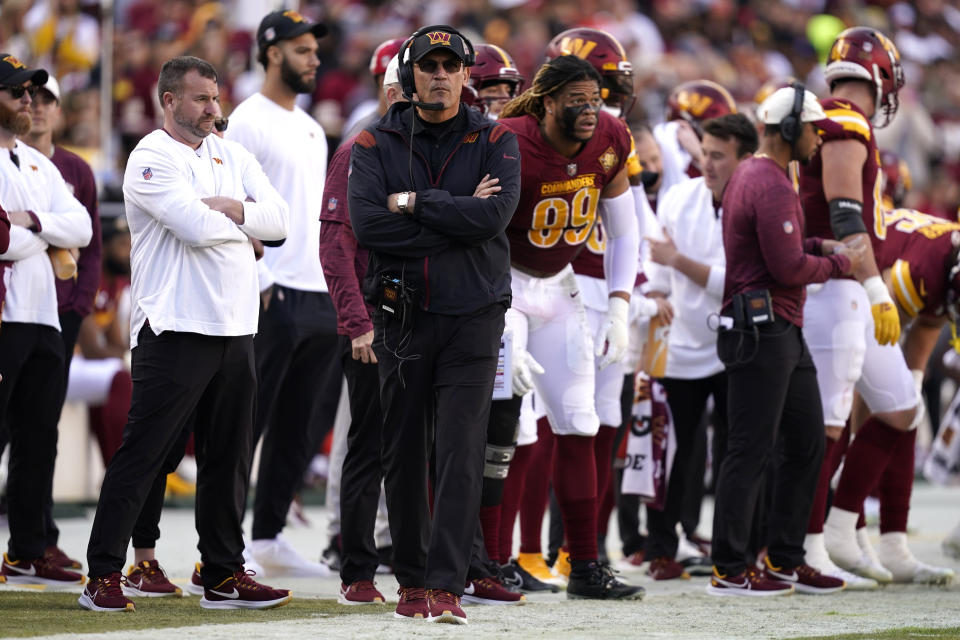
column 37, row 186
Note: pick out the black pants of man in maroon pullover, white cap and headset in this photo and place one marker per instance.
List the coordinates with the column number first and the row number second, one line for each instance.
column 774, row 412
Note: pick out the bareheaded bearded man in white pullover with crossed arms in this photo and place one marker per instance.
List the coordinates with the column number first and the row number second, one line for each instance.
column 193, row 201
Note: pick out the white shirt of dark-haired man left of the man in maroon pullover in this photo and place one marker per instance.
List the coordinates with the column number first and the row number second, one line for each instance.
column 686, row 212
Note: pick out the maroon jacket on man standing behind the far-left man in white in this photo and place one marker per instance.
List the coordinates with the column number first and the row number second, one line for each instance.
column 77, row 294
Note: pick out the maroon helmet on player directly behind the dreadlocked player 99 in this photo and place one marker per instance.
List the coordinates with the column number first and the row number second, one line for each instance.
column 607, row 56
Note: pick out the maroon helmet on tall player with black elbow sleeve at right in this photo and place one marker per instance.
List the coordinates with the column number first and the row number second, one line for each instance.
column 867, row 54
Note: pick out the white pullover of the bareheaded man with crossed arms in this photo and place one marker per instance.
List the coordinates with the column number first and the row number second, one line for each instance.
column 193, row 269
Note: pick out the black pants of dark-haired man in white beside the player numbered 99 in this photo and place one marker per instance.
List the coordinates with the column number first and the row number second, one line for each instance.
column 687, row 400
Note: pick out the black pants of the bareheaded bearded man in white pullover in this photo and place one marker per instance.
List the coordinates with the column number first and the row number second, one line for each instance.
column 174, row 376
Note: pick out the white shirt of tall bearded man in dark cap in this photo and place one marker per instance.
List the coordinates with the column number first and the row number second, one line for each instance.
column 292, row 149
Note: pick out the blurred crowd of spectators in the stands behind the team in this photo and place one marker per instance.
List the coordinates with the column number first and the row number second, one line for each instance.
column 740, row 44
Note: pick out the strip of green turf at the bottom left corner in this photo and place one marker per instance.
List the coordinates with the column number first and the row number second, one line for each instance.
column 24, row 614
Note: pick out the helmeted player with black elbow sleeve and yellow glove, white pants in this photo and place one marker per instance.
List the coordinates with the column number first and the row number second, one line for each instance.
column 840, row 190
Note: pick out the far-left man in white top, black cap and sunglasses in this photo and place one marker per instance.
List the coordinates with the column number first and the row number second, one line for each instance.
column 44, row 216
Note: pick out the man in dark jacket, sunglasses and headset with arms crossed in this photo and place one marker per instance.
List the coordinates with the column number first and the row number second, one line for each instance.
column 432, row 188
